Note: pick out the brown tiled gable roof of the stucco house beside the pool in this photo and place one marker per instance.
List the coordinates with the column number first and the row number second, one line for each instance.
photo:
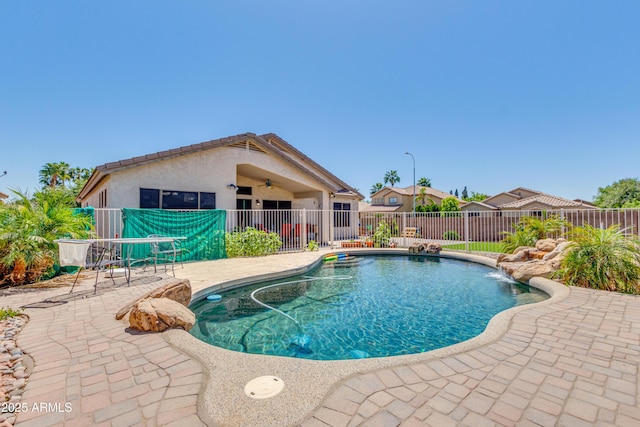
column 269, row 143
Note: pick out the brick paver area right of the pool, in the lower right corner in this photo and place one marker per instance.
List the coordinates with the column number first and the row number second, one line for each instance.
column 573, row 363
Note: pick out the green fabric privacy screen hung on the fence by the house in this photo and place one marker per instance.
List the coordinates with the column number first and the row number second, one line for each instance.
column 204, row 231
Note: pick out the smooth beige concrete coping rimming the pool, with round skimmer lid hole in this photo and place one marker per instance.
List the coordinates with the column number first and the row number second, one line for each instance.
column 307, row 382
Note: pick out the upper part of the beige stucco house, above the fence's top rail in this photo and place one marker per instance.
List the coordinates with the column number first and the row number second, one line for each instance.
column 246, row 171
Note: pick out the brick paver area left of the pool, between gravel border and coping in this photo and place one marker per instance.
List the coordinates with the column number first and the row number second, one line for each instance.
column 91, row 371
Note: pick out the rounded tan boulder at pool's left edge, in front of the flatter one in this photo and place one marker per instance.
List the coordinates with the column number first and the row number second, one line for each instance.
column 160, row 314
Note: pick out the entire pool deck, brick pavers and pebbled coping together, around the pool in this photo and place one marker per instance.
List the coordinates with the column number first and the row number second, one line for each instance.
column 571, row 360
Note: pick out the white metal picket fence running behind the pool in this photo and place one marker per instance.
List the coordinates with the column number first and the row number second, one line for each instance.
column 464, row 231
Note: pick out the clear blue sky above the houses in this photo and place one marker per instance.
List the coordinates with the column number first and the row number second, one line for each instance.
column 490, row 95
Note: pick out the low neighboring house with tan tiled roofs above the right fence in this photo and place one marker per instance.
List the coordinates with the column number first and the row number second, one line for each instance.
column 525, row 199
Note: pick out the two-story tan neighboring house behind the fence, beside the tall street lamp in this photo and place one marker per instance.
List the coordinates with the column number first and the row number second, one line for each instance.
column 394, row 199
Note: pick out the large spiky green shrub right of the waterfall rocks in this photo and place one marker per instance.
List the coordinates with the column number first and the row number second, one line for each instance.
column 602, row 259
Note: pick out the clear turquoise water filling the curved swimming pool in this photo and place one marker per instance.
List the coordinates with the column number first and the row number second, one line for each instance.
column 373, row 306
